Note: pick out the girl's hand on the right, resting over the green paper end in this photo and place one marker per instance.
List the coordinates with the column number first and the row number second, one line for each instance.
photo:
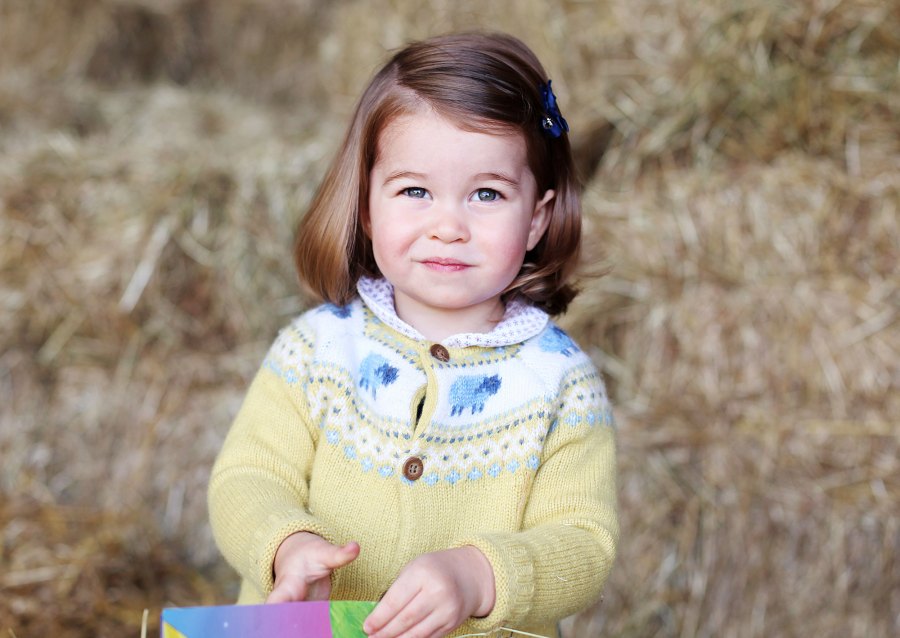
column 434, row 594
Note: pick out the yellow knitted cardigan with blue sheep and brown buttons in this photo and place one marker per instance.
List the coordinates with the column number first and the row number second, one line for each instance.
column 357, row 428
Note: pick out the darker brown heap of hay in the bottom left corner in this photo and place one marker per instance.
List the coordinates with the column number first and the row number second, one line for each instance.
column 71, row 571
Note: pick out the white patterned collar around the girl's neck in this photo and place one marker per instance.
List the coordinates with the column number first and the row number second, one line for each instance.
column 520, row 321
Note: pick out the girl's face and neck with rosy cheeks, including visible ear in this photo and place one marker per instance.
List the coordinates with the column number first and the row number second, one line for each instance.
column 451, row 214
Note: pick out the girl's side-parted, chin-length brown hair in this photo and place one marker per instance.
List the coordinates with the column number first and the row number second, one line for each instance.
column 481, row 82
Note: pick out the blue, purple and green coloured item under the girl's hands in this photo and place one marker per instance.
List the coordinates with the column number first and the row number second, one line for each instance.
column 319, row 619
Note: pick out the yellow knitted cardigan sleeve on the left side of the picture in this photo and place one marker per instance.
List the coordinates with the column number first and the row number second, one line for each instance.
column 259, row 487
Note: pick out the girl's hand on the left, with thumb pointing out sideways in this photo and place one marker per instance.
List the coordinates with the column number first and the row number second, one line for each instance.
column 303, row 566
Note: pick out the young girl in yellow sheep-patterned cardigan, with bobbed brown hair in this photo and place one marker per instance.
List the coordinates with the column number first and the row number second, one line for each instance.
column 427, row 437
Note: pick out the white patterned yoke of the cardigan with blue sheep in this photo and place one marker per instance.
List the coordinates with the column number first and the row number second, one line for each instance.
column 483, row 413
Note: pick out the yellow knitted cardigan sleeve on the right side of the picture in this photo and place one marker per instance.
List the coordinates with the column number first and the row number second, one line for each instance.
column 559, row 562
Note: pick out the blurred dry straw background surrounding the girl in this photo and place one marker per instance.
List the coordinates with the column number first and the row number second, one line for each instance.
column 741, row 162
